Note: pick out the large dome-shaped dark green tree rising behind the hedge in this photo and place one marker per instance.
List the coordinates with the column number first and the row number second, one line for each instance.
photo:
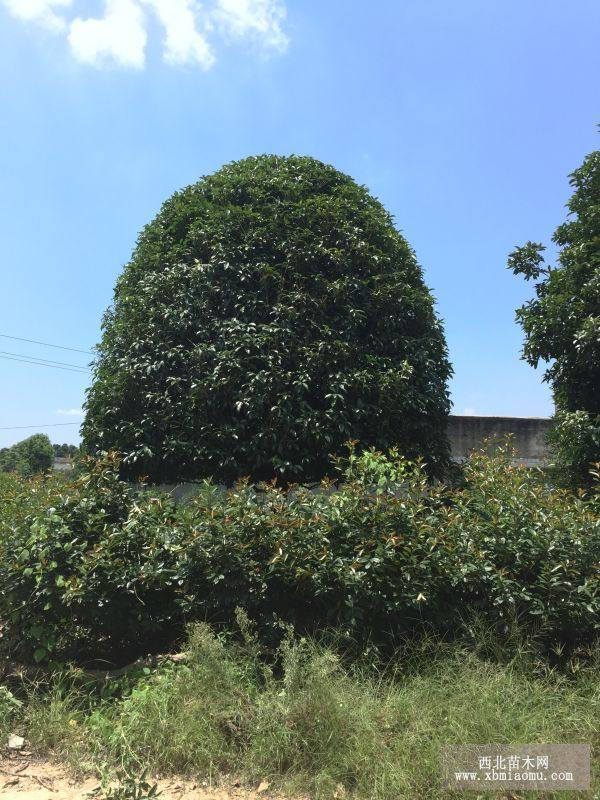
column 269, row 313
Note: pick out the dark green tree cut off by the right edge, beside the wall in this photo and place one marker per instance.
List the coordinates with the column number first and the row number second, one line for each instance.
column 562, row 323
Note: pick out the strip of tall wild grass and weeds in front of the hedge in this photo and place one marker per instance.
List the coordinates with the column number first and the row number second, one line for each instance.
column 315, row 726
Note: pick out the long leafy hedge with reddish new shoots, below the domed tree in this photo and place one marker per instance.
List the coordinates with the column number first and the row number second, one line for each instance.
column 100, row 570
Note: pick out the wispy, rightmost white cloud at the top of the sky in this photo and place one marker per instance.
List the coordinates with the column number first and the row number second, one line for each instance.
column 259, row 19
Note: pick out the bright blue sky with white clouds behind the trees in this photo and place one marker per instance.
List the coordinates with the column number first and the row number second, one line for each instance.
column 464, row 118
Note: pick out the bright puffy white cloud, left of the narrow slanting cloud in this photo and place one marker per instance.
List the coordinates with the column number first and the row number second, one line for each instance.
column 119, row 36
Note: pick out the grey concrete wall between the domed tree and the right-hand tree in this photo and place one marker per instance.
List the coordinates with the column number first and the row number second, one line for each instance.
column 528, row 436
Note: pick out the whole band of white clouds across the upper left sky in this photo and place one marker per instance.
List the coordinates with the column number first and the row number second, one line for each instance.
column 120, row 35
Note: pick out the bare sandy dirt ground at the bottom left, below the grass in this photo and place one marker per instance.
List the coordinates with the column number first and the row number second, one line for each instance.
column 30, row 779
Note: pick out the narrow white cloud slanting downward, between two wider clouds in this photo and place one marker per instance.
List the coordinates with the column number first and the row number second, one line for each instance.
column 184, row 44
